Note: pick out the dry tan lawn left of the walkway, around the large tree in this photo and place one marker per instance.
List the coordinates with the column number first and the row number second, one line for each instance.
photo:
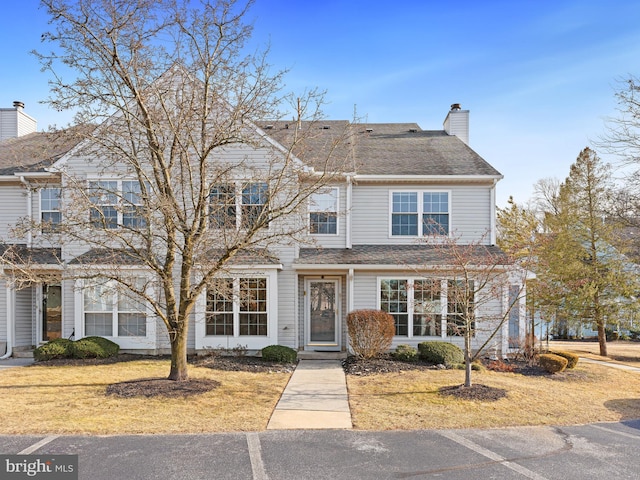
column 72, row 399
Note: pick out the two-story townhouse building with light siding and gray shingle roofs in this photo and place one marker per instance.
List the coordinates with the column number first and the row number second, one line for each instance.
column 365, row 247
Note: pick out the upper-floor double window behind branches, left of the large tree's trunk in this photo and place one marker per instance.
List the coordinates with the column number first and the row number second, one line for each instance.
column 116, row 203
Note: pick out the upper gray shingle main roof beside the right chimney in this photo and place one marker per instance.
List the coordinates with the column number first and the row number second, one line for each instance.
column 382, row 148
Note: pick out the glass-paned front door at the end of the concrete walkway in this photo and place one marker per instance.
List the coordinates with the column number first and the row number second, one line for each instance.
column 323, row 314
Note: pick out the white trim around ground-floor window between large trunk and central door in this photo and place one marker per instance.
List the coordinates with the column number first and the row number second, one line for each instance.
column 204, row 341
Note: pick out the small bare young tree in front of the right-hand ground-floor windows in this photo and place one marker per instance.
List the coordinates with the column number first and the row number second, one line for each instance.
column 482, row 287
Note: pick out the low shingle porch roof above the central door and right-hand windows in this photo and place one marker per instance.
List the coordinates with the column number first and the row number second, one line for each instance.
column 400, row 255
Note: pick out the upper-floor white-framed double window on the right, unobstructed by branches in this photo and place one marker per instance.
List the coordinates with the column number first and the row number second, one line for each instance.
column 407, row 208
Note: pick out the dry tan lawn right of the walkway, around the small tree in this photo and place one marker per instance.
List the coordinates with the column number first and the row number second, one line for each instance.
column 411, row 399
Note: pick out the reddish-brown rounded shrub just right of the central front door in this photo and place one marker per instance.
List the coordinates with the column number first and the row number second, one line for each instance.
column 370, row 332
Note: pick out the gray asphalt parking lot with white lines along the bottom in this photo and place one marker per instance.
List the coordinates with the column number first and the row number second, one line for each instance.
column 577, row 452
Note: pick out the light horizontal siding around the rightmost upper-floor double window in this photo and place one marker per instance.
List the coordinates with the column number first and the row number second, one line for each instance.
column 470, row 210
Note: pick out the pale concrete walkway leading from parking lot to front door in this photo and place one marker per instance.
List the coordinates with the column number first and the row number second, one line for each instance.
column 315, row 397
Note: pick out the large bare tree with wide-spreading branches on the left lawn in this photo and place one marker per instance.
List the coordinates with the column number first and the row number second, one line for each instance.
column 176, row 102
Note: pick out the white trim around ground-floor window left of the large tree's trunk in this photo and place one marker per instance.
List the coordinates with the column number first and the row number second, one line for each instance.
column 128, row 343
